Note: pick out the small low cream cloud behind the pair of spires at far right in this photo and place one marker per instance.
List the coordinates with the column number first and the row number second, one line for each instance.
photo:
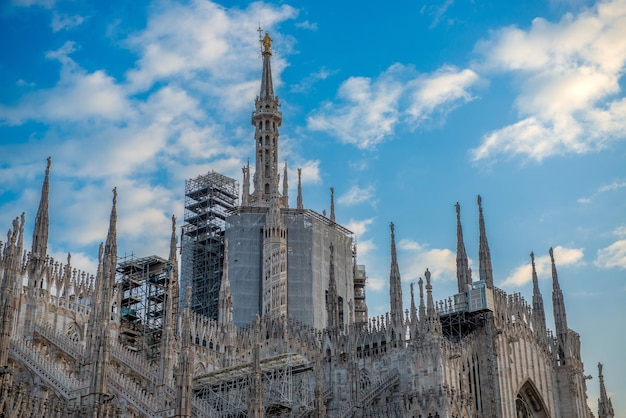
column 562, row 257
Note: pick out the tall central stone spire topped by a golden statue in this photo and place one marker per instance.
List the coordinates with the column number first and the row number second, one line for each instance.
column 266, row 118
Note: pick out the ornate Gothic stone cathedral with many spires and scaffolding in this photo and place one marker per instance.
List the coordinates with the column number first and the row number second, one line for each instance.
column 287, row 332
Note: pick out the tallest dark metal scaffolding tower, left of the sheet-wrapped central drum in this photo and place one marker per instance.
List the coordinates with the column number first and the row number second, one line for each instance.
column 208, row 198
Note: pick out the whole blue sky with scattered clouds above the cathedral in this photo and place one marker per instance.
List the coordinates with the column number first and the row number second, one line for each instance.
column 404, row 110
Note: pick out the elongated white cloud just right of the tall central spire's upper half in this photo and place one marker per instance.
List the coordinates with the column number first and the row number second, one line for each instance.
column 368, row 110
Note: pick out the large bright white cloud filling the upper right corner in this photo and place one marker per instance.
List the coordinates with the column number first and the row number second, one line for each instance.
column 568, row 73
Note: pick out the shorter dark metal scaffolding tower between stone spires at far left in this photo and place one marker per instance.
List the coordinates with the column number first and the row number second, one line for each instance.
column 143, row 284
